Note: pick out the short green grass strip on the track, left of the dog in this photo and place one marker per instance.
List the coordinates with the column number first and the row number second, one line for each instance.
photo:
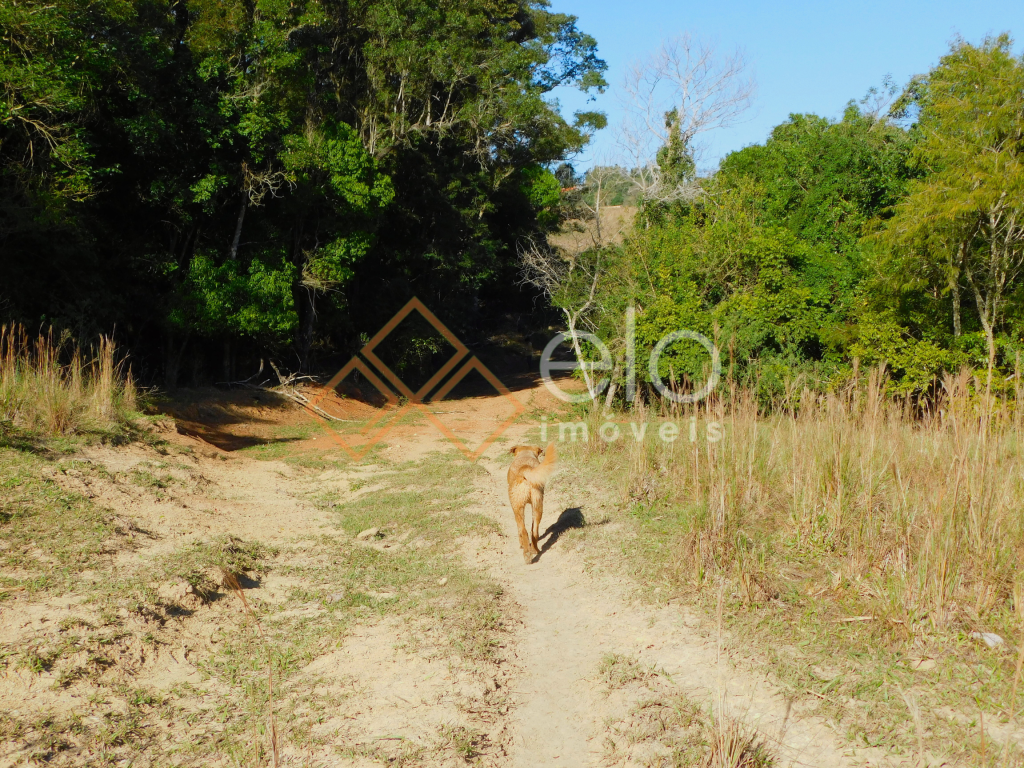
column 417, row 581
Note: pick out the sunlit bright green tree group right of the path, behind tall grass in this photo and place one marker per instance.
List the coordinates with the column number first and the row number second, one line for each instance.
column 893, row 236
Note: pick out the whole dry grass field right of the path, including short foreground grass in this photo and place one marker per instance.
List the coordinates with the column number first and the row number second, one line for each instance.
column 855, row 532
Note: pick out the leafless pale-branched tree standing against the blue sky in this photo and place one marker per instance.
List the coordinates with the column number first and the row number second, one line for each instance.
column 678, row 93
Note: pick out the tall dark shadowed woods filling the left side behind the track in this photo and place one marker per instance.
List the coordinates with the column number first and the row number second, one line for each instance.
column 222, row 180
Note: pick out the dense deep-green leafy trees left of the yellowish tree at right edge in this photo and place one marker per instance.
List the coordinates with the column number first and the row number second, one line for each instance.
column 767, row 259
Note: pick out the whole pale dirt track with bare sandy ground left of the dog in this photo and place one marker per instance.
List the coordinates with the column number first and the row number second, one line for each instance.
column 378, row 690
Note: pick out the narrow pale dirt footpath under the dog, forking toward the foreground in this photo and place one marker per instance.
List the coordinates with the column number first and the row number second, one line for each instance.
column 574, row 618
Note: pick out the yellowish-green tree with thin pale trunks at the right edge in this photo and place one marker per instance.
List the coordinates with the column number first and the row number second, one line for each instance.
column 964, row 219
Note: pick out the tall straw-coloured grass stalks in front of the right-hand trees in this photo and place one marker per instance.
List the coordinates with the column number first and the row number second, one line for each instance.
column 914, row 518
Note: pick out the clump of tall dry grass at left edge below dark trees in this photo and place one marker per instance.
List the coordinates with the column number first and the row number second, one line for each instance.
column 48, row 386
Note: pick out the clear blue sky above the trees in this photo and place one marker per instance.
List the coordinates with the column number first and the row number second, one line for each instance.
column 806, row 57
